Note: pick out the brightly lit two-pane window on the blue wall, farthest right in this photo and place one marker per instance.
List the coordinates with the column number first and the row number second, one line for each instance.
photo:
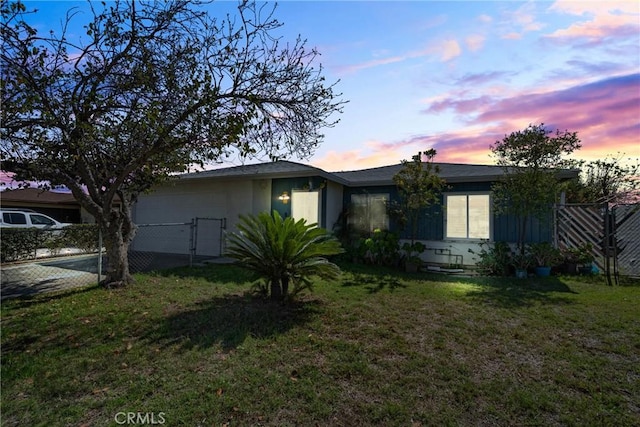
column 468, row 216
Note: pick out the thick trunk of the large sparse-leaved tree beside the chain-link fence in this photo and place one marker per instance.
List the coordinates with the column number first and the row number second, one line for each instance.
column 118, row 231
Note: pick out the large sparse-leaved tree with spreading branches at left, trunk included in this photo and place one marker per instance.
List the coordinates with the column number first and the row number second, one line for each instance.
column 154, row 88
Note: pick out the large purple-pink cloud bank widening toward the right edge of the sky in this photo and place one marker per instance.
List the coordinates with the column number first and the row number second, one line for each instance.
column 606, row 114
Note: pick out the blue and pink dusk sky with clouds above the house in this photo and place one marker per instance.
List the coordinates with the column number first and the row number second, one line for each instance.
column 458, row 76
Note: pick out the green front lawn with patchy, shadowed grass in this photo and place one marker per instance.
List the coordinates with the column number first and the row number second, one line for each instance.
column 194, row 347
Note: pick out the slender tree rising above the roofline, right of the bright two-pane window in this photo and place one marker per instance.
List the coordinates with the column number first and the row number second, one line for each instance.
column 531, row 160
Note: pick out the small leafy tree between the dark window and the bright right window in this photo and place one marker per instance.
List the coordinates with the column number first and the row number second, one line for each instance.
column 419, row 186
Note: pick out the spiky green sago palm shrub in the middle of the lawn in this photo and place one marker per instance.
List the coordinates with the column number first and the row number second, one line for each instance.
column 283, row 251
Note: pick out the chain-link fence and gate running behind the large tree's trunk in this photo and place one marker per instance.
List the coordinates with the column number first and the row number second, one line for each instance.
column 35, row 261
